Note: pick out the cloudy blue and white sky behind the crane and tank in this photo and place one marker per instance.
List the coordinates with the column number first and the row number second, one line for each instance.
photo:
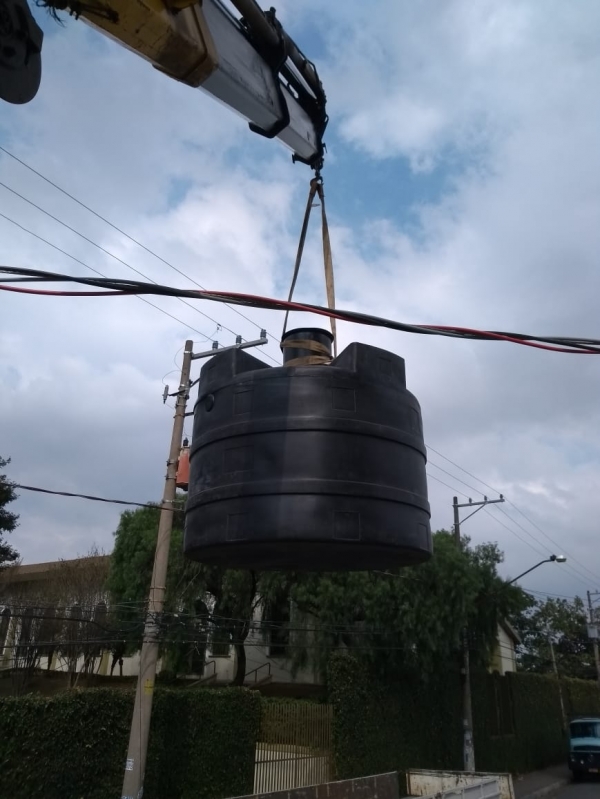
column 463, row 187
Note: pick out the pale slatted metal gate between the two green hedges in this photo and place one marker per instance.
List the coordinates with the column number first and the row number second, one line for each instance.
column 294, row 748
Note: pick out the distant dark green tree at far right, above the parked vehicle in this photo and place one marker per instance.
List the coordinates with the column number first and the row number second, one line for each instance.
column 564, row 622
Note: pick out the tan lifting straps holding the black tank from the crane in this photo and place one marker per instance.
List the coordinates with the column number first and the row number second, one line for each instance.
column 322, row 355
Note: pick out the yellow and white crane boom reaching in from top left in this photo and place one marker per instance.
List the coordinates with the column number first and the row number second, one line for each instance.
column 248, row 62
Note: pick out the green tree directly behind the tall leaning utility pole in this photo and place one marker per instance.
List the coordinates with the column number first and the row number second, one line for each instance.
column 202, row 602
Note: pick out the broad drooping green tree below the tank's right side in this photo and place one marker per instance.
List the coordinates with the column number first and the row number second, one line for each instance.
column 411, row 618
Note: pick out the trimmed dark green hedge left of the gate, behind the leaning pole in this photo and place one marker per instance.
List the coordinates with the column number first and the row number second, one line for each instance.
column 73, row 746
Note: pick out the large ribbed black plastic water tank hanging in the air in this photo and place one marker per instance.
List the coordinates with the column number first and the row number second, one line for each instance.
column 318, row 467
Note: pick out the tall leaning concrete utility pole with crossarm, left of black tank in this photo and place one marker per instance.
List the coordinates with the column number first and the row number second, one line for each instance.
column 135, row 765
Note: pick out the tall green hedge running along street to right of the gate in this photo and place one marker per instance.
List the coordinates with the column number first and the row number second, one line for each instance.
column 410, row 723
